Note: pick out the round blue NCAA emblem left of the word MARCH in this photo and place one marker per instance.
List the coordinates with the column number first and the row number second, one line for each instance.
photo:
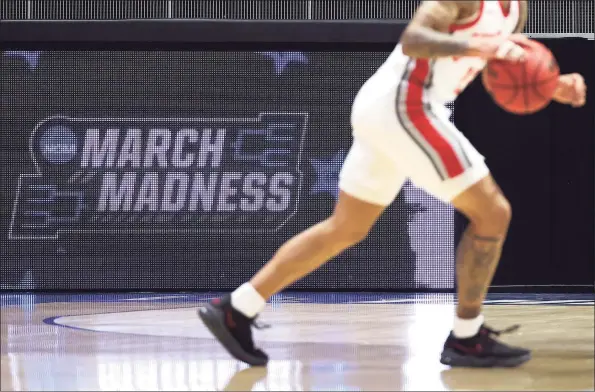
column 58, row 144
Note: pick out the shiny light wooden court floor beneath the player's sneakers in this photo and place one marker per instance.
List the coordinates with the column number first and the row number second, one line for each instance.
column 317, row 342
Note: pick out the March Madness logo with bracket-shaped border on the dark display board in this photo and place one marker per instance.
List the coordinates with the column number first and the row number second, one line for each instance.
column 161, row 175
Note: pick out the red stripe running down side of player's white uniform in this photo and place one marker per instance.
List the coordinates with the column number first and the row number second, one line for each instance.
column 417, row 116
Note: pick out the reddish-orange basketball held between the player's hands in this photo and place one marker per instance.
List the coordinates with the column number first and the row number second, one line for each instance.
column 527, row 87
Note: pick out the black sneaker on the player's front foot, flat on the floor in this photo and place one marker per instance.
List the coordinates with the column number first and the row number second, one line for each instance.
column 482, row 350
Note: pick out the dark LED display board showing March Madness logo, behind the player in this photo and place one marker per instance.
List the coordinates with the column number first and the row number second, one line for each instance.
column 187, row 170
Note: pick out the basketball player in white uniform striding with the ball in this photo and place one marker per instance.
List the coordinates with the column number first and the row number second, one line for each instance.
column 401, row 130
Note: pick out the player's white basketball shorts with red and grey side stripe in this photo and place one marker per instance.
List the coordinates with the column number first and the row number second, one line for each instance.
column 398, row 134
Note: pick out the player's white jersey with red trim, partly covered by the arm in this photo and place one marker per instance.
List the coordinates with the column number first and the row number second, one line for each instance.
column 446, row 77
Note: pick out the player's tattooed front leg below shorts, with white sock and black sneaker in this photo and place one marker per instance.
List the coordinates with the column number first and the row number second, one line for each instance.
column 471, row 343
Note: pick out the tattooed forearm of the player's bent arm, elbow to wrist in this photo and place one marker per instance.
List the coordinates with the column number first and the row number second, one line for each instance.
column 422, row 42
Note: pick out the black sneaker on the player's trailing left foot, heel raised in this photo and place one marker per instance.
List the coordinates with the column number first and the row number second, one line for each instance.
column 233, row 330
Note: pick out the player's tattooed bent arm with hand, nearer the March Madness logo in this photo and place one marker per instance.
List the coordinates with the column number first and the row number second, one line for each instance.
column 427, row 35
